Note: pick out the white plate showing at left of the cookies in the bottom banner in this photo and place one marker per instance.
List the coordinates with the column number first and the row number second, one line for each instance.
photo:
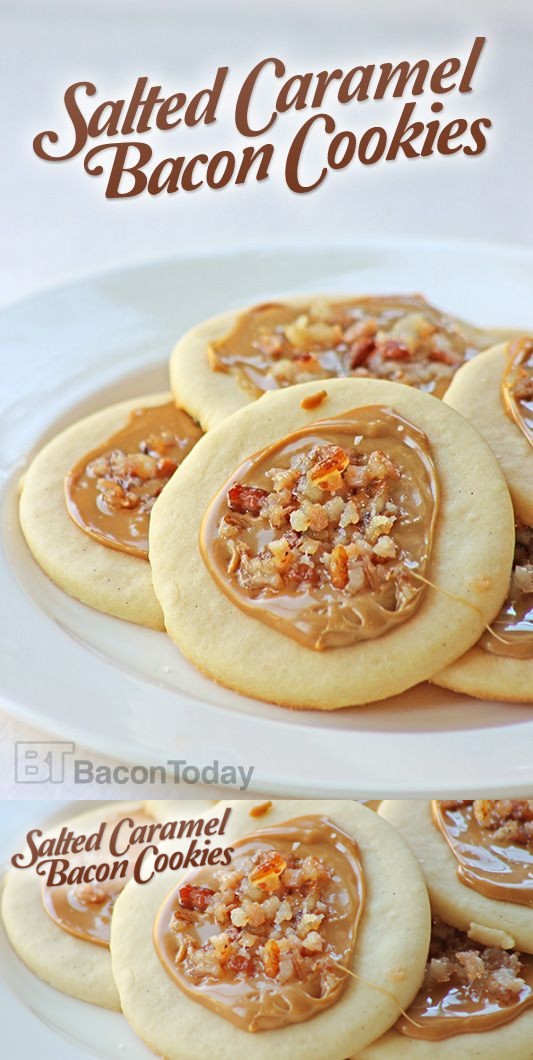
column 37, row 1020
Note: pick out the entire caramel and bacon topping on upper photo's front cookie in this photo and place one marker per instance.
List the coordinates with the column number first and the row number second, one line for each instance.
column 317, row 536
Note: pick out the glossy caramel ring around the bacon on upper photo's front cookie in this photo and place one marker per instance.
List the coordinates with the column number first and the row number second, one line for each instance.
column 319, row 619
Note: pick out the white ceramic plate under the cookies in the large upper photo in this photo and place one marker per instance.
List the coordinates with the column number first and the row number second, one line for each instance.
column 127, row 692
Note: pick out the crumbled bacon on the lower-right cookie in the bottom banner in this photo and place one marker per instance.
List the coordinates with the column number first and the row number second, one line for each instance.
column 487, row 973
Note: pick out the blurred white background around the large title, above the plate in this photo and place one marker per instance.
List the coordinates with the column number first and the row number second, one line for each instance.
column 57, row 224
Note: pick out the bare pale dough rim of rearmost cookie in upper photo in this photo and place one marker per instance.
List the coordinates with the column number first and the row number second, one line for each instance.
column 210, row 397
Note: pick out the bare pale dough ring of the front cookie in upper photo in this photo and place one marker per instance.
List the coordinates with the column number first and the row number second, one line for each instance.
column 472, row 557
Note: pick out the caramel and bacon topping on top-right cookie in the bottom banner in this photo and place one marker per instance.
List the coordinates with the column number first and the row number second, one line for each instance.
column 493, row 844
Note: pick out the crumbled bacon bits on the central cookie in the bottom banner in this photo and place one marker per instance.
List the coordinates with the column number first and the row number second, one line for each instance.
column 269, row 917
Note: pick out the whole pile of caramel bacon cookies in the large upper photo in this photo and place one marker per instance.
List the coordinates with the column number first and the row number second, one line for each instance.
column 340, row 490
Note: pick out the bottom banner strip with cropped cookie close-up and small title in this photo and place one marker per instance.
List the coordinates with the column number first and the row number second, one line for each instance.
column 291, row 929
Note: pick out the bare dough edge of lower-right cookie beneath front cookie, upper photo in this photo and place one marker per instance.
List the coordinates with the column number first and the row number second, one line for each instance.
column 490, row 677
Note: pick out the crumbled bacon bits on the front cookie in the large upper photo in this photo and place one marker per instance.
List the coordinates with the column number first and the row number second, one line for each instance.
column 328, row 522
